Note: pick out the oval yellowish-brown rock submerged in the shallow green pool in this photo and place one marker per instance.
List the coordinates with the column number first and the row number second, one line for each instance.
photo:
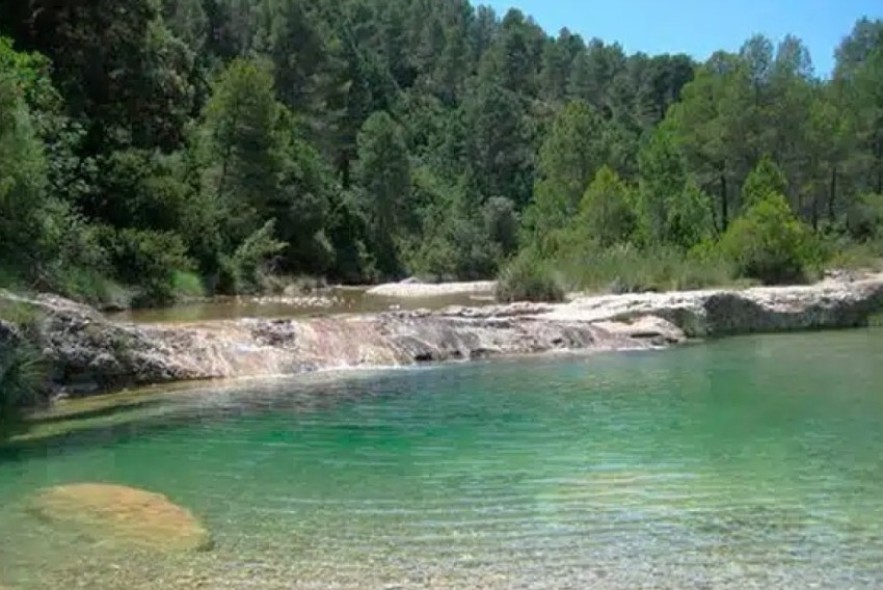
column 123, row 515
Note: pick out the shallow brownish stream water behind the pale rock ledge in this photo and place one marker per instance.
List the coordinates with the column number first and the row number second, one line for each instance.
column 330, row 301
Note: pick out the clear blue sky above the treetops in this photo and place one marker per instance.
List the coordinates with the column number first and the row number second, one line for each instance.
column 700, row 27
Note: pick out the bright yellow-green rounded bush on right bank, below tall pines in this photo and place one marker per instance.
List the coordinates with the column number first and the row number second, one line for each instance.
column 770, row 244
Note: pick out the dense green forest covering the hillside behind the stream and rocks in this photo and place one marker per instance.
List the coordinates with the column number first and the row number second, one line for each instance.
column 156, row 149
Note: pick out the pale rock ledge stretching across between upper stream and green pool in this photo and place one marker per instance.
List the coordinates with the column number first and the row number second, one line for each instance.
column 89, row 353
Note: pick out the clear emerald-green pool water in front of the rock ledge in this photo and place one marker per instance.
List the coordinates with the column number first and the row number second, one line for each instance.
column 745, row 463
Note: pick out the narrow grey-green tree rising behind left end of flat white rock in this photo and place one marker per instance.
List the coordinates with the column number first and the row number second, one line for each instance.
column 383, row 174
